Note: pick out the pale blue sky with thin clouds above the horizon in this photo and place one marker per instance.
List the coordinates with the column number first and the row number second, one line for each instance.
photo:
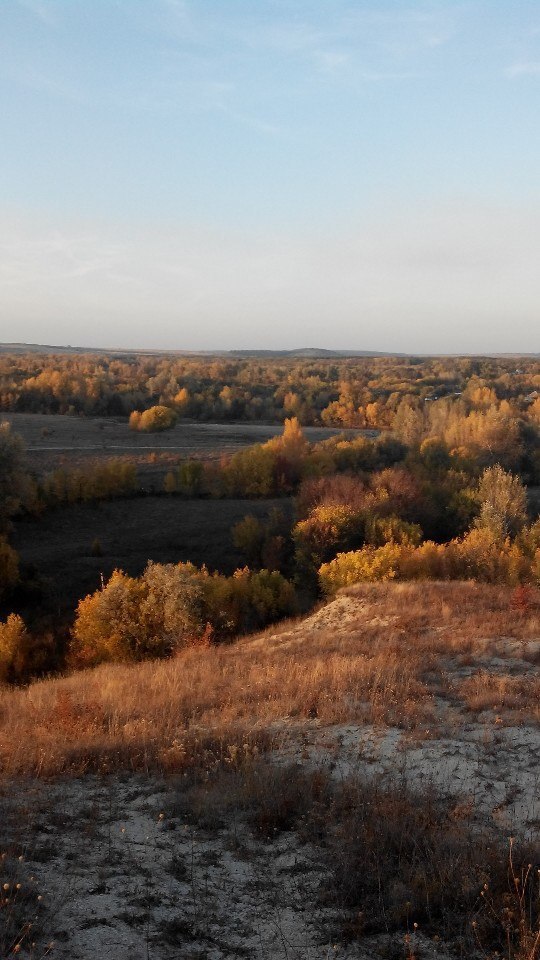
column 225, row 174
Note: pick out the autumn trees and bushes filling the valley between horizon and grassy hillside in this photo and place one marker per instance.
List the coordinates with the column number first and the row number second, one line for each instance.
column 438, row 481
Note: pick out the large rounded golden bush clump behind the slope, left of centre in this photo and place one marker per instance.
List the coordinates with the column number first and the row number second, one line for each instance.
column 171, row 605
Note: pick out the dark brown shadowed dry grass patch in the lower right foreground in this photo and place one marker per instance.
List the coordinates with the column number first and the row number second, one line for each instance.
column 388, row 863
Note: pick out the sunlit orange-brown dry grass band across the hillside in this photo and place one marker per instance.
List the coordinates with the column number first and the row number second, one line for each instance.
column 380, row 656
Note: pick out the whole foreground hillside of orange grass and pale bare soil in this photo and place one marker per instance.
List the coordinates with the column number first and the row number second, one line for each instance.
column 311, row 792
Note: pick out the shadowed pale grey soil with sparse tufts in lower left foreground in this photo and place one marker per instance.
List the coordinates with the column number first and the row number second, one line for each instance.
column 125, row 877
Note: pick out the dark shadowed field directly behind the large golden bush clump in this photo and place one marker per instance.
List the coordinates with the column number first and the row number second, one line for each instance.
column 131, row 532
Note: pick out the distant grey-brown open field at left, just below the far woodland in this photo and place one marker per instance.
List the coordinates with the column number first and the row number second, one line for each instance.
column 54, row 440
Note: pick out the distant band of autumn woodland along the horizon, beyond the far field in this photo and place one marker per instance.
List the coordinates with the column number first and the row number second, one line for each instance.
column 353, row 392
